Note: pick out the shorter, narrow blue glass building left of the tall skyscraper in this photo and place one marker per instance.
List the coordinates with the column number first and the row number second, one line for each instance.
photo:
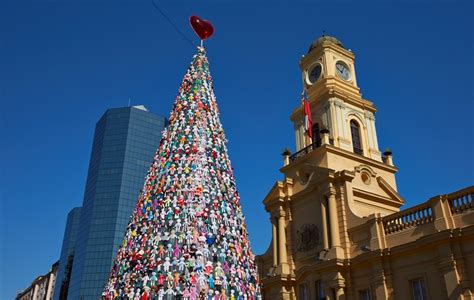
column 67, row 254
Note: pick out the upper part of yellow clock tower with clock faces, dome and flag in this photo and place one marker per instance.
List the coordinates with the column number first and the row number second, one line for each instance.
column 328, row 72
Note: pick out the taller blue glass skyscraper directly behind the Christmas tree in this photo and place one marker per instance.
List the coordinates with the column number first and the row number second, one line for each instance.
column 124, row 144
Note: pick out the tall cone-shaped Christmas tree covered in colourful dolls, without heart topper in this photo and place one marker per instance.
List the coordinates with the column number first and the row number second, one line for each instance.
column 187, row 237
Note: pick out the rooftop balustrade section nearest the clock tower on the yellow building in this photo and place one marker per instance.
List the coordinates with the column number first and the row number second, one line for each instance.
column 417, row 215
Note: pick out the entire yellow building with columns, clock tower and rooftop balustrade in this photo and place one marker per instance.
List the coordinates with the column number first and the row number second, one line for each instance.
column 337, row 228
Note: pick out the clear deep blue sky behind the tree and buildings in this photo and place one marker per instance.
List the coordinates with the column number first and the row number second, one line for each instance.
column 63, row 63
